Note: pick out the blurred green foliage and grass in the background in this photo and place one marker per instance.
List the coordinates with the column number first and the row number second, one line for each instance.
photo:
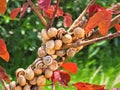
column 98, row 63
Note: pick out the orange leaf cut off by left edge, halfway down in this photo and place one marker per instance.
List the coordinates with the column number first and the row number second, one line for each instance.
column 3, row 51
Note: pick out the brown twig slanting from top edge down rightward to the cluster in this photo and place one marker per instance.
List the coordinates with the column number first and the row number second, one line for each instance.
column 37, row 12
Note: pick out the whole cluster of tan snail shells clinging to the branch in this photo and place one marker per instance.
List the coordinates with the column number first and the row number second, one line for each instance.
column 51, row 55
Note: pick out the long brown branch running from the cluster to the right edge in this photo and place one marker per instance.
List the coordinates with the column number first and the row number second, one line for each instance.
column 84, row 43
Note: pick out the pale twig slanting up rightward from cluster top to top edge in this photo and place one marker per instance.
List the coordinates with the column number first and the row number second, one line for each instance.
column 76, row 22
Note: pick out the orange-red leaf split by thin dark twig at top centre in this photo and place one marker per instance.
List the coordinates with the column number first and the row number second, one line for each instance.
column 50, row 10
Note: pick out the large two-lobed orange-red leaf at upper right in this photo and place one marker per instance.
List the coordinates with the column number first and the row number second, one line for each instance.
column 101, row 19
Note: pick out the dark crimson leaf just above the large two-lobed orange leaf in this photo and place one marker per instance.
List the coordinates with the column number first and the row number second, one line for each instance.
column 94, row 8
